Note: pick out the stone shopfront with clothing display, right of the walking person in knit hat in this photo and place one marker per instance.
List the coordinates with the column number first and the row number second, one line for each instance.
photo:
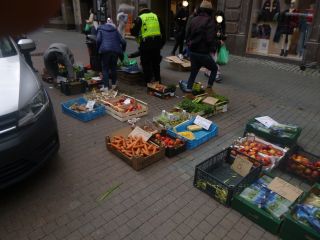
column 266, row 27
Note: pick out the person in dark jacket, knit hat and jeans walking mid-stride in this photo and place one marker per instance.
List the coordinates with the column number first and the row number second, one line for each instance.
column 201, row 38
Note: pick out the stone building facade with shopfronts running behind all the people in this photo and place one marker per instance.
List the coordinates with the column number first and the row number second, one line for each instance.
column 283, row 30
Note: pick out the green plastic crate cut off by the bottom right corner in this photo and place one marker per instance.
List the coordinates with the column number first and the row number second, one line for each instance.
column 293, row 230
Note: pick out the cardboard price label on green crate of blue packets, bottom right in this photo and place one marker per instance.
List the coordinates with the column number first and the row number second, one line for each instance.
column 285, row 189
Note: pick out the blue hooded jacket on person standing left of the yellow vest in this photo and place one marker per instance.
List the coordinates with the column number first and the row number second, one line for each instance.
column 110, row 40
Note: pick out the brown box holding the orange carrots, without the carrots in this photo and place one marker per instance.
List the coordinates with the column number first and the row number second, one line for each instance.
column 136, row 163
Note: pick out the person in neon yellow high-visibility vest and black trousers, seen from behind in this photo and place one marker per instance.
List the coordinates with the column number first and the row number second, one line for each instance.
column 148, row 30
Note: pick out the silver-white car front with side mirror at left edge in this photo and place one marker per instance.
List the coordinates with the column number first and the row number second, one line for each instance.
column 28, row 128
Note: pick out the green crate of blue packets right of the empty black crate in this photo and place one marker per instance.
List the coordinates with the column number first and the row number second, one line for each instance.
column 261, row 205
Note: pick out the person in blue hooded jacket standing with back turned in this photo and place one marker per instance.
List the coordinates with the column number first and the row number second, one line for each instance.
column 111, row 46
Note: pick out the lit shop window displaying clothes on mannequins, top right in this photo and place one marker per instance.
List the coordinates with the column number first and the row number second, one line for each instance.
column 280, row 28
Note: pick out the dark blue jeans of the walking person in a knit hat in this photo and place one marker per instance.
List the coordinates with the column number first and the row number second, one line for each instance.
column 199, row 60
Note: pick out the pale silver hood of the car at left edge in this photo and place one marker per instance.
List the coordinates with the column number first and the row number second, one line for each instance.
column 18, row 84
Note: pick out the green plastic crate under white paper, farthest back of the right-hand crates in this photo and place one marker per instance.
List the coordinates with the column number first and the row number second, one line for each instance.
column 257, row 128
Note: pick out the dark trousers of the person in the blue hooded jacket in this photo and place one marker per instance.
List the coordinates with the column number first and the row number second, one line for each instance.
column 109, row 64
